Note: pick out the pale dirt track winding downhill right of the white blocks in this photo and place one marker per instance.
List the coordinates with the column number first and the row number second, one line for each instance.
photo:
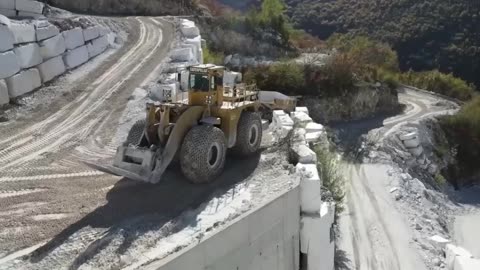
column 373, row 232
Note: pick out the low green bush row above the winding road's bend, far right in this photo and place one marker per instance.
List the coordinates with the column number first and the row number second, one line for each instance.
column 438, row 82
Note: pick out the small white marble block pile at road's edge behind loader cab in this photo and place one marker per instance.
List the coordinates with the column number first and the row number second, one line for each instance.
column 190, row 49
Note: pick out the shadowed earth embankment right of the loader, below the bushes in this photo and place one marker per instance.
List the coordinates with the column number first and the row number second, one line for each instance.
column 368, row 101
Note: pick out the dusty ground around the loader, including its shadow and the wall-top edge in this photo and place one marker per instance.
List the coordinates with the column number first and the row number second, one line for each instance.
column 59, row 214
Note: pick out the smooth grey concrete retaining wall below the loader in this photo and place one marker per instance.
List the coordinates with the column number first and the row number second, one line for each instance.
column 264, row 238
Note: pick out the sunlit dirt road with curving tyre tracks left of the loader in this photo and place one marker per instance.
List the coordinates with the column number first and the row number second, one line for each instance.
column 43, row 185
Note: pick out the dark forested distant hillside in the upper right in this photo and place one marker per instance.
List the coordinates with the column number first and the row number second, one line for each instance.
column 433, row 34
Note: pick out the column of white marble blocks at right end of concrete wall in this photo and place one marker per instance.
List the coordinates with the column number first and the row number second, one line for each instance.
column 317, row 217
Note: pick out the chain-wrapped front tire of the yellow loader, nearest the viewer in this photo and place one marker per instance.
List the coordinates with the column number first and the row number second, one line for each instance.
column 203, row 152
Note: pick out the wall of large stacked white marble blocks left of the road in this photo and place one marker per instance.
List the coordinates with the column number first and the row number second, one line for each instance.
column 34, row 53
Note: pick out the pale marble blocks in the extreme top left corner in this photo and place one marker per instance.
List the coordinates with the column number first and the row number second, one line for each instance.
column 22, row 8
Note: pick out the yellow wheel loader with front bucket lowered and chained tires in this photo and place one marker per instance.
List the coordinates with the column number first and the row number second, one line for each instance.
column 197, row 127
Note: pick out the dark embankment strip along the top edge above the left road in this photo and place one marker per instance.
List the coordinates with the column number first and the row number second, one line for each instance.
column 131, row 7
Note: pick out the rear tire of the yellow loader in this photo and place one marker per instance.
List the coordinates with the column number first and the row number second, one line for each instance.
column 249, row 134
